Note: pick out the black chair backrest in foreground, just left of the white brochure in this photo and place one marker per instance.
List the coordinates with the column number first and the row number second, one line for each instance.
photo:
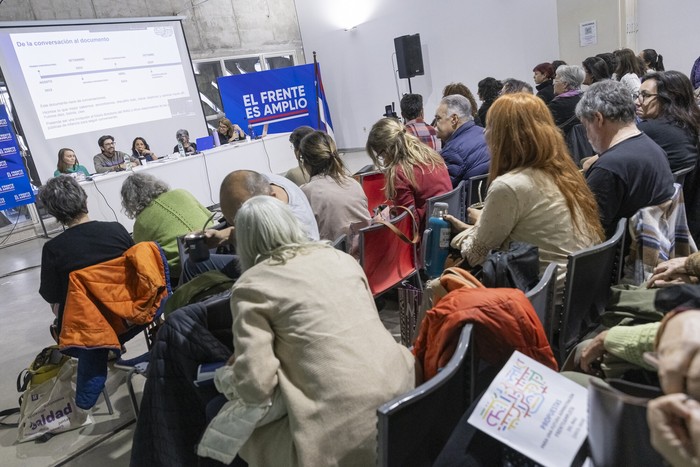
column 414, row 427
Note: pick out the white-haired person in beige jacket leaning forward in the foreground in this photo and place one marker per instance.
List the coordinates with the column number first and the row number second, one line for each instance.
column 315, row 354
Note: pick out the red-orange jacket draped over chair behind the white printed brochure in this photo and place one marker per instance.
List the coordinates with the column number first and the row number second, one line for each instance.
column 504, row 321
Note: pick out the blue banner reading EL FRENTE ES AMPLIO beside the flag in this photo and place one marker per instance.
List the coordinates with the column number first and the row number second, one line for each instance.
column 284, row 99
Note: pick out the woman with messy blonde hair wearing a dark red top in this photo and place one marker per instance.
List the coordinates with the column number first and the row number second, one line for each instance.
column 414, row 172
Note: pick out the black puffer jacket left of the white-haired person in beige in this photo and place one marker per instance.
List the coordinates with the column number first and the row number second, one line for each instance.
column 172, row 416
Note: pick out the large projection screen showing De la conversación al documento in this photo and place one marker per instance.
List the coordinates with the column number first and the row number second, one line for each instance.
column 73, row 81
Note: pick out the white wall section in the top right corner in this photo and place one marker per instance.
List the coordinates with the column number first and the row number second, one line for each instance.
column 670, row 28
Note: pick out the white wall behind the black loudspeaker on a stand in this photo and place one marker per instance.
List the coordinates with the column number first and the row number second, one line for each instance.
column 463, row 40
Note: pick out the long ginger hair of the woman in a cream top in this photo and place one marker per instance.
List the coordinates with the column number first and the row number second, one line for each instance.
column 521, row 134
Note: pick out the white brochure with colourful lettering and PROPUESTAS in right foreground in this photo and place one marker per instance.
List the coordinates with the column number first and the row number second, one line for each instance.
column 534, row 410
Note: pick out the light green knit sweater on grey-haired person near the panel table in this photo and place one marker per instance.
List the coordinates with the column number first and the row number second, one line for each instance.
column 172, row 214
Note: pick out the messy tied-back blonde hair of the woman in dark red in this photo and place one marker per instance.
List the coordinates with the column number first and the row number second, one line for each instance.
column 390, row 147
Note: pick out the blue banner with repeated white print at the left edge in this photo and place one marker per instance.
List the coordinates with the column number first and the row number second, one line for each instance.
column 15, row 188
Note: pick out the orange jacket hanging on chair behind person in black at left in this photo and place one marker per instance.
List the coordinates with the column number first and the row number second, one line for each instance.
column 105, row 299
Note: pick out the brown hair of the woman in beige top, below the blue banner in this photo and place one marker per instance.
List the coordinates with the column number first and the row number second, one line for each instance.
column 319, row 156
